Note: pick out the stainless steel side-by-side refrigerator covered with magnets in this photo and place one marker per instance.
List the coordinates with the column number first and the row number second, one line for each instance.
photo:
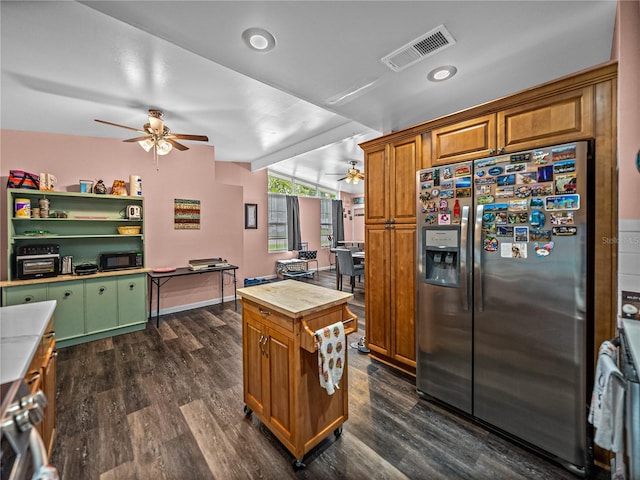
column 503, row 296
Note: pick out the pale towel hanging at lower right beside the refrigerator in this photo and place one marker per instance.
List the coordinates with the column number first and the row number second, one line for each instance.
column 607, row 401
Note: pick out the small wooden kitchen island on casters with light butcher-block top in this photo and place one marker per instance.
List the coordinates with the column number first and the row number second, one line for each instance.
column 280, row 361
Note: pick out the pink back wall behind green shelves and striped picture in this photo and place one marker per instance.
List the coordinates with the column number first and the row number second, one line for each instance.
column 222, row 188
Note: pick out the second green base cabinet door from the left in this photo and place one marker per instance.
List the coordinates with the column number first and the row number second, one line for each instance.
column 69, row 314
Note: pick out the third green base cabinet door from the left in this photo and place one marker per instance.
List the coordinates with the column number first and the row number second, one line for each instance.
column 101, row 304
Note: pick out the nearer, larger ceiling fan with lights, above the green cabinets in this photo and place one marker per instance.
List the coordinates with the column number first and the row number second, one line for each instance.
column 157, row 135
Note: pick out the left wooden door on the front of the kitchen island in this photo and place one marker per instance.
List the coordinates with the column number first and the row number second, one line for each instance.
column 252, row 351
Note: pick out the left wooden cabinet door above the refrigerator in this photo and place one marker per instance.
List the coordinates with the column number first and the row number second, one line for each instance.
column 464, row 141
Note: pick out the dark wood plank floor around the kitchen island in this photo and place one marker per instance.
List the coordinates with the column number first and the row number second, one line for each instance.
column 166, row 403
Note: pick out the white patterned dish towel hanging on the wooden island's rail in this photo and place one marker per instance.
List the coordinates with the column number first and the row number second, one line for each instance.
column 331, row 355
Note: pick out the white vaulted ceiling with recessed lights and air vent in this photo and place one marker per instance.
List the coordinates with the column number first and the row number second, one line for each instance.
column 67, row 63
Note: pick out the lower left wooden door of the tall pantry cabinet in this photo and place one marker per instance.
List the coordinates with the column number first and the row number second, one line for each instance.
column 377, row 296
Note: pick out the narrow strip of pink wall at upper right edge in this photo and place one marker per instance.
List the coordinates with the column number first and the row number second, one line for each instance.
column 627, row 52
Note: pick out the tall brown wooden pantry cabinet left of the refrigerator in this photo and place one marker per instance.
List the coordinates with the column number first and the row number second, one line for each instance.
column 390, row 217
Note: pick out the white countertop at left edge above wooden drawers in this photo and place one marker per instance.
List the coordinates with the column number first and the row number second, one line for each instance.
column 21, row 329
